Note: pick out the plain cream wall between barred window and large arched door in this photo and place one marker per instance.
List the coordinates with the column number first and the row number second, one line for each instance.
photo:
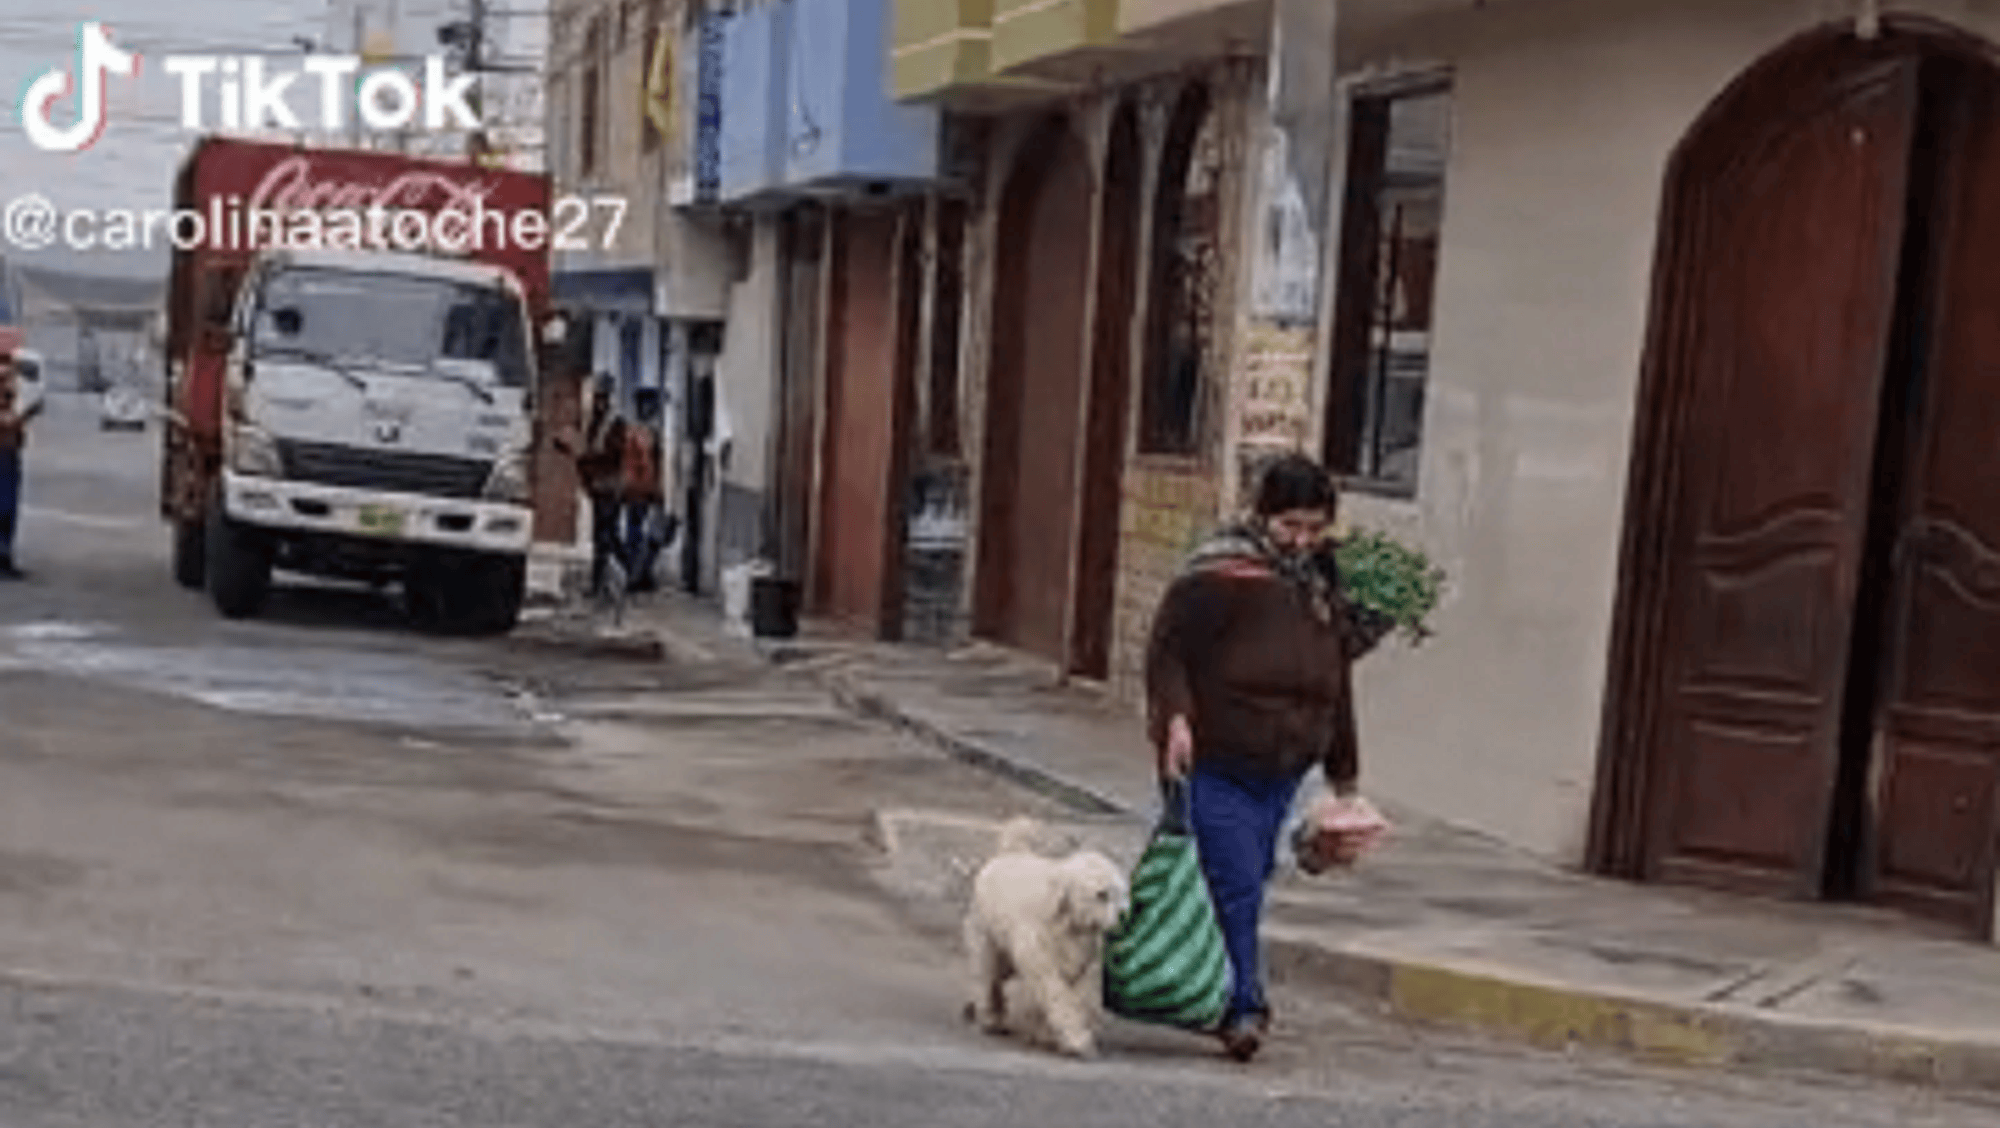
column 1565, row 121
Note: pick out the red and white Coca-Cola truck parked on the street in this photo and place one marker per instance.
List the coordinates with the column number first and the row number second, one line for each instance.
column 353, row 413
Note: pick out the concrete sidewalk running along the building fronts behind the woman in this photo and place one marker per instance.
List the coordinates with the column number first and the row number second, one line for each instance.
column 1445, row 927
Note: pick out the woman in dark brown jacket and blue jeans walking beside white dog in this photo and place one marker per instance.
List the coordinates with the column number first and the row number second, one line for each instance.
column 1247, row 689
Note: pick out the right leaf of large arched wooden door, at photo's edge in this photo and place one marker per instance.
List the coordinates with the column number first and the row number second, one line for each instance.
column 1939, row 705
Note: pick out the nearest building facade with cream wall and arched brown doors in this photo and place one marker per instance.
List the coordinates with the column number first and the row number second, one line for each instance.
column 1721, row 603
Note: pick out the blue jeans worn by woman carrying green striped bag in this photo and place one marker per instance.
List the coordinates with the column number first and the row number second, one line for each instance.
column 1237, row 825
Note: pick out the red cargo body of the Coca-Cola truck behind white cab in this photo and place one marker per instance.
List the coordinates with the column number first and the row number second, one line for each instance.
column 229, row 181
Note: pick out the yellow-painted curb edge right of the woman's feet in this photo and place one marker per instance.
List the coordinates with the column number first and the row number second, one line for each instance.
column 1555, row 1017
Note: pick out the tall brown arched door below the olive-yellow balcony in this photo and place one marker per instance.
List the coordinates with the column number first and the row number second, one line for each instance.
column 1035, row 397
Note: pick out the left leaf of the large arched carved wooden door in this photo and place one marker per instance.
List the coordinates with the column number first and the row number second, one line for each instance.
column 1795, row 233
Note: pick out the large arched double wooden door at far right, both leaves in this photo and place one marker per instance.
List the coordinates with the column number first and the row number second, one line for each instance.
column 1805, row 685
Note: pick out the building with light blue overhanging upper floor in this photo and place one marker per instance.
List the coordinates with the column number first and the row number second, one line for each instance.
column 797, row 133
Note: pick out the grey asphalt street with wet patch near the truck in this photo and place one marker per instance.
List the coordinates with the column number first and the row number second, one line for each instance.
column 325, row 871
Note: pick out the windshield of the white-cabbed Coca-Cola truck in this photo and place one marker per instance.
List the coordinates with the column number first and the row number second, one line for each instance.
column 393, row 319
